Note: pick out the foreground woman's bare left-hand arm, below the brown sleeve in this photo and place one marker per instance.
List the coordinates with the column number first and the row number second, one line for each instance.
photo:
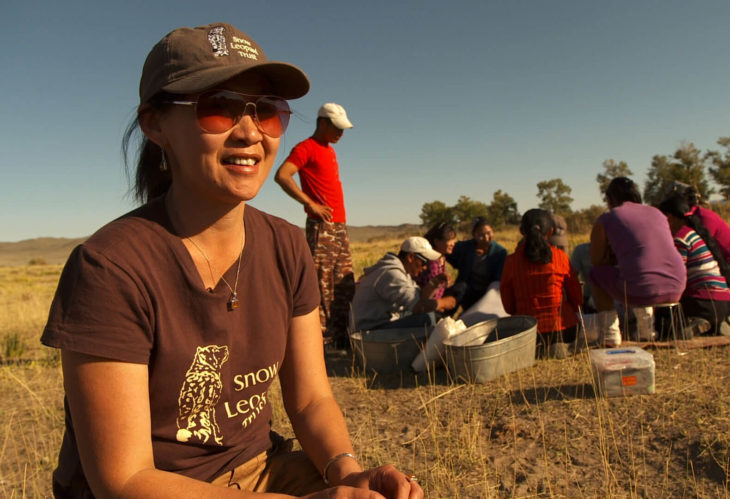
column 109, row 403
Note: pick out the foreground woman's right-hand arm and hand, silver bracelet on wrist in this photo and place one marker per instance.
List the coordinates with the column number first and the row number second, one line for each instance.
column 317, row 420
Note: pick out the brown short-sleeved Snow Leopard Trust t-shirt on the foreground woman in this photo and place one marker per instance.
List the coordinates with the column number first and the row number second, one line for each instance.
column 132, row 293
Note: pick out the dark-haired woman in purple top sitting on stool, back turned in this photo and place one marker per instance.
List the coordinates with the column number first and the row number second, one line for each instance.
column 634, row 262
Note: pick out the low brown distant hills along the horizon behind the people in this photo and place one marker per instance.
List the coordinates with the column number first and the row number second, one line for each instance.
column 55, row 250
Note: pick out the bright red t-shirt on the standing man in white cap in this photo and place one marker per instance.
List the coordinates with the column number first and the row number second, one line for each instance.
column 319, row 176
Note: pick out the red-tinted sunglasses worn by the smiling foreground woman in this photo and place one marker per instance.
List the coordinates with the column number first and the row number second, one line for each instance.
column 218, row 111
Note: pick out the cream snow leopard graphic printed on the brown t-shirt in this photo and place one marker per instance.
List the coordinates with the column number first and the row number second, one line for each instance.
column 199, row 394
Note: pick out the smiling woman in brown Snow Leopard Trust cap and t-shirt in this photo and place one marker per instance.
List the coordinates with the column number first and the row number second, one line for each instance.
column 174, row 319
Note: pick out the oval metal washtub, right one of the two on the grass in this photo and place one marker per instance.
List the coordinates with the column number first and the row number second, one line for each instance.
column 492, row 348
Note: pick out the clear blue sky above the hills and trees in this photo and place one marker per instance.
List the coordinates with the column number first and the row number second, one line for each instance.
column 448, row 98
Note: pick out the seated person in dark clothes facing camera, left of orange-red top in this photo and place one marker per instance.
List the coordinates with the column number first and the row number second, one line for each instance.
column 479, row 261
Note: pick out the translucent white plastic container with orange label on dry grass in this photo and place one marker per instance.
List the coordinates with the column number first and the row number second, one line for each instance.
column 623, row 371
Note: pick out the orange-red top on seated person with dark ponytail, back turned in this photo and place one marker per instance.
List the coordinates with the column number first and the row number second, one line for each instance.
column 538, row 289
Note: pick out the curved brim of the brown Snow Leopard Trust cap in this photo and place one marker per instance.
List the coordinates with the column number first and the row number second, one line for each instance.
column 287, row 81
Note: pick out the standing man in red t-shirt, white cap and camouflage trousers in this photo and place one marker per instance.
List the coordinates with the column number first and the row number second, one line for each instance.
column 321, row 194
